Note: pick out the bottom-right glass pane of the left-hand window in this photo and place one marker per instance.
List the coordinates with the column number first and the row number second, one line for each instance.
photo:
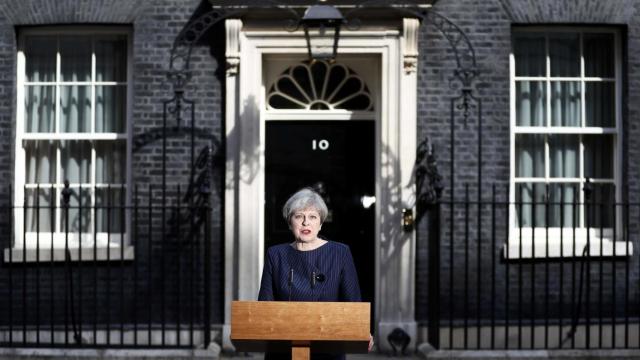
column 110, row 212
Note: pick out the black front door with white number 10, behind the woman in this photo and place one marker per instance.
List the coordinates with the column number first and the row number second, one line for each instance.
column 337, row 159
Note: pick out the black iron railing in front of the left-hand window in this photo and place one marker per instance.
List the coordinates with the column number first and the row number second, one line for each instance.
column 124, row 272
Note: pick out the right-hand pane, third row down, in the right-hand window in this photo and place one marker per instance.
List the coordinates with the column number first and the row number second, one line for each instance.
column 598, row 156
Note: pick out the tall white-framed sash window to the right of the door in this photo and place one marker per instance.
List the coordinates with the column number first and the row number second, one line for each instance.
column 565, row 110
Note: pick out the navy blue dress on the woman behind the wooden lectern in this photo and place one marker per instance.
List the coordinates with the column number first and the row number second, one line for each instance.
column 323, row 274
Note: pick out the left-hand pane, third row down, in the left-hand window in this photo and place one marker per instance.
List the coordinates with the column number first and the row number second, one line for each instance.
column 40, row 161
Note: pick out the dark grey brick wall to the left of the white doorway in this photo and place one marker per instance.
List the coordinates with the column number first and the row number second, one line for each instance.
column 155, row 26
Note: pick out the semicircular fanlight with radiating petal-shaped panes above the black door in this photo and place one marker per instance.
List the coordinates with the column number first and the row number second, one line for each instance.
column 320, row 86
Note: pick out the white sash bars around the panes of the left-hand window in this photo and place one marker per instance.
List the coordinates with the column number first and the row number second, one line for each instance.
column 120, row 79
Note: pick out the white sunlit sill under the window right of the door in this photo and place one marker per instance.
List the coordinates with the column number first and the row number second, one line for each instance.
column 540, row 250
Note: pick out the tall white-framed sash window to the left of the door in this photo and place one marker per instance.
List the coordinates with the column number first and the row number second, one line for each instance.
column 71, row 125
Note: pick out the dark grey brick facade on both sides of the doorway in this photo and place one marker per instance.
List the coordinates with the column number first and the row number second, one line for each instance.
column 486, row 22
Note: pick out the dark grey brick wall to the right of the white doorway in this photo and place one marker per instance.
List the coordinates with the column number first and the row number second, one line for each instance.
column 488, row 25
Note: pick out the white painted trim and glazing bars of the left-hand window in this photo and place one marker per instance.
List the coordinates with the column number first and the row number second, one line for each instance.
column 44, row 239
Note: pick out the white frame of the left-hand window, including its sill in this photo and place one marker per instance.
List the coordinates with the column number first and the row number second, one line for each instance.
column 37, row 246
